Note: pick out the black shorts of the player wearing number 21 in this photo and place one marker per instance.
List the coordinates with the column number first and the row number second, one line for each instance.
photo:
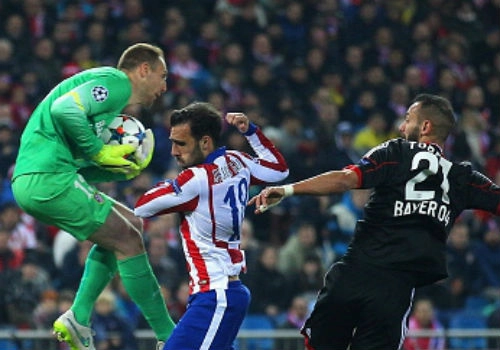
column 362, row 306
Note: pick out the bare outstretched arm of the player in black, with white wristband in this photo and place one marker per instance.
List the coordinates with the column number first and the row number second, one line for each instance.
column 330, row 182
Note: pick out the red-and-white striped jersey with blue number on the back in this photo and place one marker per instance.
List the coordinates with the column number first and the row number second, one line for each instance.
column 211, row 200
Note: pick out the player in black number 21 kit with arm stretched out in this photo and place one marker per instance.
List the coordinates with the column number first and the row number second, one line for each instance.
column 400, row 243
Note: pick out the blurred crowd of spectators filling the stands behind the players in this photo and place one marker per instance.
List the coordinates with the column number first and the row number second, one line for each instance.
column 325, row 79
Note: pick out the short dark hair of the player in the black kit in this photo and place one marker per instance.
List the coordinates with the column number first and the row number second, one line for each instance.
column 439, row 111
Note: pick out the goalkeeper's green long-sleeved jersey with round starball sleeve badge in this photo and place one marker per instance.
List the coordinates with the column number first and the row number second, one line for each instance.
column 63, row 132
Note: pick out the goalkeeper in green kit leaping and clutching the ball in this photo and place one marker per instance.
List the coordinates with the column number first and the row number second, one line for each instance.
column 61, row 155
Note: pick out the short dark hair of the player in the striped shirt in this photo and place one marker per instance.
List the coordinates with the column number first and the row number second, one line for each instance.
column 202, row 117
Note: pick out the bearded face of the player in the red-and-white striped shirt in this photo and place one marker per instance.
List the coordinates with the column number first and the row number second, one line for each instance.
column 187, row 150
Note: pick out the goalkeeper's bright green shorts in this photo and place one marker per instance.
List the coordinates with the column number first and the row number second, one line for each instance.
column 64, row 200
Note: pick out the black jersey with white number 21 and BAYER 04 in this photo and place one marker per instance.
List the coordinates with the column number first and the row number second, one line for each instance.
column 417, row 196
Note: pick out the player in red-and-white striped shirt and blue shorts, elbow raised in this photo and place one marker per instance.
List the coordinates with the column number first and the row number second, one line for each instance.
column 210, row 195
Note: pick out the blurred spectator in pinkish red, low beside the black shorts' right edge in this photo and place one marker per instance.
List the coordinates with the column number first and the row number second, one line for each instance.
column 423, row 318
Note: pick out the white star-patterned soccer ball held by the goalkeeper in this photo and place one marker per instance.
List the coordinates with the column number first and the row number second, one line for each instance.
column 124, row 129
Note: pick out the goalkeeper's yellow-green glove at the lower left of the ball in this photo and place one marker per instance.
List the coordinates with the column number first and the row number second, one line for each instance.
column 112, row 158
